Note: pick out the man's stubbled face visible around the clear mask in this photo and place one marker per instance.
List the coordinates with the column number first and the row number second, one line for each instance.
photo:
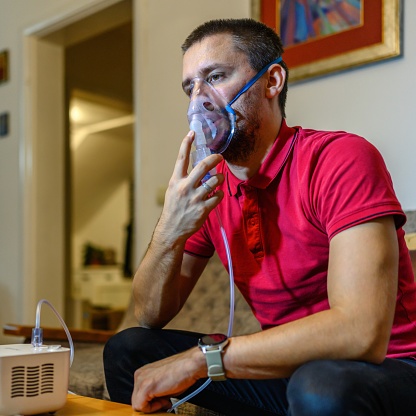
column 216, row 60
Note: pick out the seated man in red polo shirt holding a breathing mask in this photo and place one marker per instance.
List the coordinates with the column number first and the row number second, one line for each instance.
column 317, row 248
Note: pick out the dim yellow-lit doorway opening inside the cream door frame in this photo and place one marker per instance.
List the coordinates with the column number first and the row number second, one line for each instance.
column 99, row 85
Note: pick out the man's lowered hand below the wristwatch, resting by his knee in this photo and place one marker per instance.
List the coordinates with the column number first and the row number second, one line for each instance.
column 155, row 383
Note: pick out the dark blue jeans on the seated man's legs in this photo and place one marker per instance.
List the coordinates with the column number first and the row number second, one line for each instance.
column 327, row 387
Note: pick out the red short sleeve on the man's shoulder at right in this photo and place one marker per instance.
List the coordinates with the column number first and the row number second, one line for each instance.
column 350, row 184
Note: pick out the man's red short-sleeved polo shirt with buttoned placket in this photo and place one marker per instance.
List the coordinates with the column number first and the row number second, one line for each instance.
column 312, row 185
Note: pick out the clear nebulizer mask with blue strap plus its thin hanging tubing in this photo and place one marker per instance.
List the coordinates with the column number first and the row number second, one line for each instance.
column 213, row 120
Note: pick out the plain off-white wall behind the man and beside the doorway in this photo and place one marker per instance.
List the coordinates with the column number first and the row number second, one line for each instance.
column 375, row 101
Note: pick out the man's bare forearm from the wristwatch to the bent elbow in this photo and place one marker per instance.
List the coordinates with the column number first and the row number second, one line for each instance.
column 278, row 352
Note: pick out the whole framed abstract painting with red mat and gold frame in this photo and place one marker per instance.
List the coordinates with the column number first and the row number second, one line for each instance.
column 326, row 36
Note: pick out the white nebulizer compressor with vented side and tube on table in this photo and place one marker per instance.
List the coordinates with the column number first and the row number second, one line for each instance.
column 34, row 377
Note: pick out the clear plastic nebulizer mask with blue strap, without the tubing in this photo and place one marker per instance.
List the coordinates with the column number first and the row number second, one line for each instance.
column 212, row 118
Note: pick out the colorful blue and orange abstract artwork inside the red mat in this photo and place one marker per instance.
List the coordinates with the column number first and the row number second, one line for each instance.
column 306, row 20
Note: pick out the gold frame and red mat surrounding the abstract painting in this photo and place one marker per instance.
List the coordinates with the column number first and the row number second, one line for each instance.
column 377, row 38
